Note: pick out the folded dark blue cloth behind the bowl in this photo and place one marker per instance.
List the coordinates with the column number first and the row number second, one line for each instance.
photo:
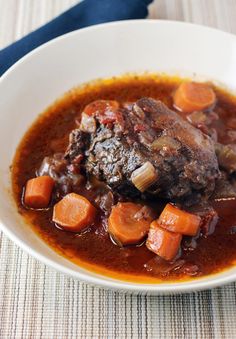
column 86, row 13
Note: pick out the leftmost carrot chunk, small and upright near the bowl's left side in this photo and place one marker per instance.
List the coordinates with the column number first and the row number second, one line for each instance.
column 38, row 192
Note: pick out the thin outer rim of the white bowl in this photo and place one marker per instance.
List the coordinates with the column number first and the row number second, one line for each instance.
column 101, row 280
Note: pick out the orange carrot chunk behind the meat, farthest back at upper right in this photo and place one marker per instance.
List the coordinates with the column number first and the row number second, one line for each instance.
column 193, row 96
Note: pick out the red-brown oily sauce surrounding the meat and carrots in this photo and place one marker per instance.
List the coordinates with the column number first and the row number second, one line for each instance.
column 93, row 248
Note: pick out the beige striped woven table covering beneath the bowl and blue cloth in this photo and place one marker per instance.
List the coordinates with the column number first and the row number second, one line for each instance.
column 38, row 302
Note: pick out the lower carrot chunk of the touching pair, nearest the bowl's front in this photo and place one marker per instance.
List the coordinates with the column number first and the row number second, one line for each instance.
column 162, row 242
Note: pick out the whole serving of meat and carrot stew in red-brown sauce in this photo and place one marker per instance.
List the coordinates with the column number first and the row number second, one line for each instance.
column 134, row 177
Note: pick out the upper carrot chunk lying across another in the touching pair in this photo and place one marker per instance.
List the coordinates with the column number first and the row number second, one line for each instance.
column 175, row 220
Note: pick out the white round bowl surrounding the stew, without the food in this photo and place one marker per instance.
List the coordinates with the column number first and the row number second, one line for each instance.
column 96, row 52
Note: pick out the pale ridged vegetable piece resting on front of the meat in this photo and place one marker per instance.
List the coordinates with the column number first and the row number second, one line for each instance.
column 144, row 176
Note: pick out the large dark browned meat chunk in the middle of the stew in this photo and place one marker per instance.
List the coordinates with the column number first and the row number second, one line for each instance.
column 182, row 163
